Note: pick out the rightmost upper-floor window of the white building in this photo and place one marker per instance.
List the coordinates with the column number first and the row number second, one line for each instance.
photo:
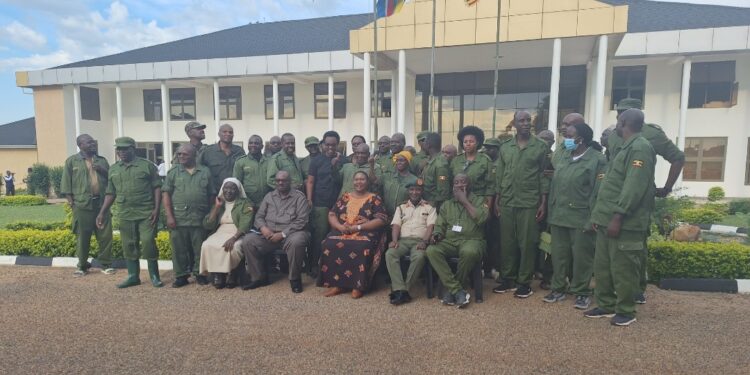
column 712, row 85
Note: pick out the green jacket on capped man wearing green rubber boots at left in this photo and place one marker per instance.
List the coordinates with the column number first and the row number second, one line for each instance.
column 133, row 186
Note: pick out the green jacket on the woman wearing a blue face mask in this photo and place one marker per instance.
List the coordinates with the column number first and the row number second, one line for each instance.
column 574, row 188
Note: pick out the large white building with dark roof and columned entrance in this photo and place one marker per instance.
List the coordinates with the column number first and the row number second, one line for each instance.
column 690, row 64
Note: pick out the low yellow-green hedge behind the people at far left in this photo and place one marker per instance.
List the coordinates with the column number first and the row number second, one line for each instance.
column 62, row 243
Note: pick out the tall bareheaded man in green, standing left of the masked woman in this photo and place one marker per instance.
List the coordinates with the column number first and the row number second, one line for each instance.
column 522, row 202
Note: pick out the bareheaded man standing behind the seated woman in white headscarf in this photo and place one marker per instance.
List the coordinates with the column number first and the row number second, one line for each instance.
column 220, row 157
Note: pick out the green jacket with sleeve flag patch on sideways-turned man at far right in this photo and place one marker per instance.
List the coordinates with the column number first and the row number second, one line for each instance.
column 628, row 187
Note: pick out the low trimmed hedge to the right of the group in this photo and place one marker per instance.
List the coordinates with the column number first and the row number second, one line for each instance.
column 670, row 259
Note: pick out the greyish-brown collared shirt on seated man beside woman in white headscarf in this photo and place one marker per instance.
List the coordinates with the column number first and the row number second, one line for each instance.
column 287, row 214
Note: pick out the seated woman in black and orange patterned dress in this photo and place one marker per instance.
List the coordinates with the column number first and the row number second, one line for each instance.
column 353, row 249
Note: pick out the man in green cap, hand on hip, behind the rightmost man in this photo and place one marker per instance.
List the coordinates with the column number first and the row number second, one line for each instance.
column 663, row 147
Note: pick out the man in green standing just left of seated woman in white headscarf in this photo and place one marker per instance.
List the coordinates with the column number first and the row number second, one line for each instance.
column 187, row 194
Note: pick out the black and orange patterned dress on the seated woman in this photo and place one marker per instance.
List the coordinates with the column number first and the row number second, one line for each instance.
column 349, row 261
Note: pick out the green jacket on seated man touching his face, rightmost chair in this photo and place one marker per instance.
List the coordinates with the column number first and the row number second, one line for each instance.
column 452, row 213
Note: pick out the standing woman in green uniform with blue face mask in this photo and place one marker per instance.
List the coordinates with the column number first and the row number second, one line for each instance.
column 573, row 192
